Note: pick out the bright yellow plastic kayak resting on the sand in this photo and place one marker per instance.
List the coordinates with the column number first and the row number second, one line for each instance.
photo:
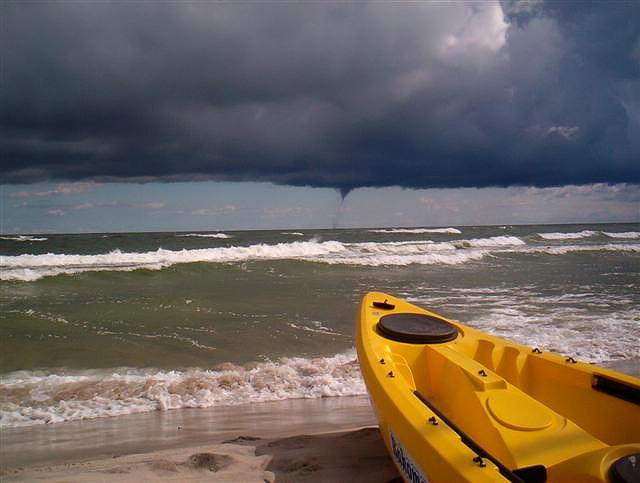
column 455, row 404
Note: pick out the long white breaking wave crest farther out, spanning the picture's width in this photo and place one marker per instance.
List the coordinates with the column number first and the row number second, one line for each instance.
column 399, row 253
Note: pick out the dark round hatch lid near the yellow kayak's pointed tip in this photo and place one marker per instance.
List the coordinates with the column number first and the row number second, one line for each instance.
column 416, row 328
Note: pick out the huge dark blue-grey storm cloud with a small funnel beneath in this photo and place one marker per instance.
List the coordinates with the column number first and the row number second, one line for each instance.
column 322, row 94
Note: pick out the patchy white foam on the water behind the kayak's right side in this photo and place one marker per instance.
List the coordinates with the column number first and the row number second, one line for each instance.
column 589, row 325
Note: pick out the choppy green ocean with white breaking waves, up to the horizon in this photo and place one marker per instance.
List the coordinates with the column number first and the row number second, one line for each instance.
column 97, row 325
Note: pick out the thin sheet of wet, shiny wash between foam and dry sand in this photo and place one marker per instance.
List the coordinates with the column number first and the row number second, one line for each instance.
column 159, row 430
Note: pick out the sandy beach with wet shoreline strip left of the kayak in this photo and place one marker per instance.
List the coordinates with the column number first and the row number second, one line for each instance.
column 328, row 439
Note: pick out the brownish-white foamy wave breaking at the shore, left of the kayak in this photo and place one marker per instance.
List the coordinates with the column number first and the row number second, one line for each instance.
column 29, row 398
